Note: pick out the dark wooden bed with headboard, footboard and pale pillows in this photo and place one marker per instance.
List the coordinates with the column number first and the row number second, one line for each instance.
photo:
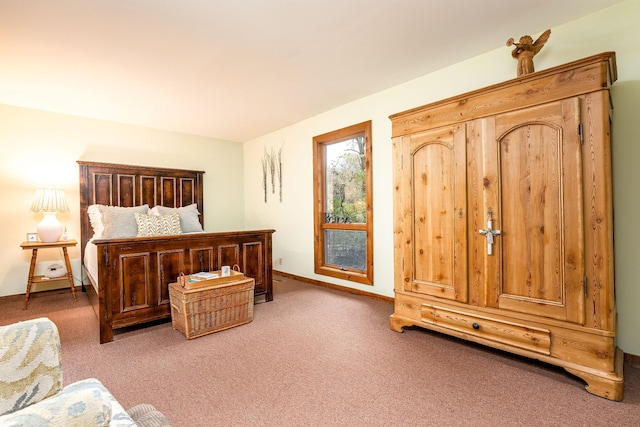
column 129, row 274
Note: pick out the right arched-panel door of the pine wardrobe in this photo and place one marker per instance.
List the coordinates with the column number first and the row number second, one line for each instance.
column 537, row 265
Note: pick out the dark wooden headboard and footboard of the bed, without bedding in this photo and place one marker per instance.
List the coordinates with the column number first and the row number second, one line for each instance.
column 134, row 274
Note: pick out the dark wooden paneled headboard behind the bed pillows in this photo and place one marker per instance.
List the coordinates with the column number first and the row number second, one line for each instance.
column 126, row 185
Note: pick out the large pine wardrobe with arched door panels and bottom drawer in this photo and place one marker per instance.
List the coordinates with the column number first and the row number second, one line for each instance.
column 503, row 224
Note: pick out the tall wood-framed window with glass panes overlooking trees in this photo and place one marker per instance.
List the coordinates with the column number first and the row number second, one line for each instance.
column 343, row 214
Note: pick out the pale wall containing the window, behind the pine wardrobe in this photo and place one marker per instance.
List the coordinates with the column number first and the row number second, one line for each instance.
column 613, row 29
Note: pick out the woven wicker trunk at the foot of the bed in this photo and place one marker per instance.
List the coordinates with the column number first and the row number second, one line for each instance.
column 201, row 311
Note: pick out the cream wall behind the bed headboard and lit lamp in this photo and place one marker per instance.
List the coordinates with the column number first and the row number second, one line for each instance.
column 40, row 149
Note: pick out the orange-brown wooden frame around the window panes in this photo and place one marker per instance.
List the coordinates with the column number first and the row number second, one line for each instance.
column 320, row 143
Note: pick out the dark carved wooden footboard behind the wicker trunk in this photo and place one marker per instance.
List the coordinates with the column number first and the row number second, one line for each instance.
column 134, row 274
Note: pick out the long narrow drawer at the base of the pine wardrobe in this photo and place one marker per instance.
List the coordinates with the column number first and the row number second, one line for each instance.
column 501, row 331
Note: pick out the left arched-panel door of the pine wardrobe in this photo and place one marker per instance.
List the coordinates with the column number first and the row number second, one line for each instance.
column 434, row 208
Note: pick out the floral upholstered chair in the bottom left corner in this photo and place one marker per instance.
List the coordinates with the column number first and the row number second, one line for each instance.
column 31, row 392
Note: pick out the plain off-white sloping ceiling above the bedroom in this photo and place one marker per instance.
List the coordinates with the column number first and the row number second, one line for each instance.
column 238, row 69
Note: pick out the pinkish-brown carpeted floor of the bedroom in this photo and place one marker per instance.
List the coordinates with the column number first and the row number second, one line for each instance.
column 320, row 357
